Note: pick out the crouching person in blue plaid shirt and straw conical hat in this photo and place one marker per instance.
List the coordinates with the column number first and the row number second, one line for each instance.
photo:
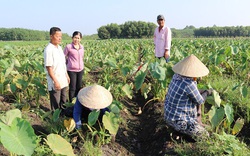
column 182, row 104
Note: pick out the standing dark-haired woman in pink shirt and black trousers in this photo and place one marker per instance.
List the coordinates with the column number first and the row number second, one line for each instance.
column 74, row 54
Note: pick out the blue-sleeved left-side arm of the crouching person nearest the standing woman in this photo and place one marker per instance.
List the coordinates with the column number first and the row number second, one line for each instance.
column 77, row 113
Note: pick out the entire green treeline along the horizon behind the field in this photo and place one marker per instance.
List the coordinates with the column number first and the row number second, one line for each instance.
column 130, row 29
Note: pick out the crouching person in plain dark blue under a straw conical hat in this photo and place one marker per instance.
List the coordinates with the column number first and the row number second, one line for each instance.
column 91, row 98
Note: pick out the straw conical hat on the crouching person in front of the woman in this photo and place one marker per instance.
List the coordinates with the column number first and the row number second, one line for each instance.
column 95, row 97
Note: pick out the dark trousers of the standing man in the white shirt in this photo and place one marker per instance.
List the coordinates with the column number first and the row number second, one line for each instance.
column 58, row 98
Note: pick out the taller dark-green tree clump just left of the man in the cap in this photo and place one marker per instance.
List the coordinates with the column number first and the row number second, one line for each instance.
column 130, row 29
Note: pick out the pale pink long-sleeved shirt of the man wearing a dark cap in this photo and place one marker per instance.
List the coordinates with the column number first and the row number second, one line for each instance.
column 162, row 41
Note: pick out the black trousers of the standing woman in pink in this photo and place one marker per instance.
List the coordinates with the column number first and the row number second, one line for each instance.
column 75, row 83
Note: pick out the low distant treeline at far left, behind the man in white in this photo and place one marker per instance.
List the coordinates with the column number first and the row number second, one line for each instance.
column 17, row 34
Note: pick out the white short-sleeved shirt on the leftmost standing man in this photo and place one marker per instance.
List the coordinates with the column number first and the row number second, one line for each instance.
column 54, row 57
